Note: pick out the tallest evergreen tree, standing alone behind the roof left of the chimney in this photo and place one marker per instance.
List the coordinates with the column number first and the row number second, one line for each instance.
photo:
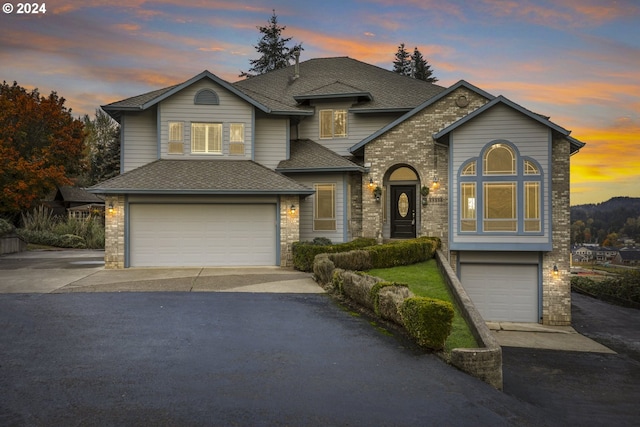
column 273, row 48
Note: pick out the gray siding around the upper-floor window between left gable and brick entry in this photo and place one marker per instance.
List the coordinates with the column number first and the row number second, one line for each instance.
column 359, row 126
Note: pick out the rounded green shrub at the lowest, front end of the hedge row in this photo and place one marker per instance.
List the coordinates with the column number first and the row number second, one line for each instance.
column 427, row 320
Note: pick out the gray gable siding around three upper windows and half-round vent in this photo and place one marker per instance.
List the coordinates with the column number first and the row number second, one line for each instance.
column 231, row 109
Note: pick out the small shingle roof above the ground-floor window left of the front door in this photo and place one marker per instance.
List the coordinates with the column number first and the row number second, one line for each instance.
column 309, row 156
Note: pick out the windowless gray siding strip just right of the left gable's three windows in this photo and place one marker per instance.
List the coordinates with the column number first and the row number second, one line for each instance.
column 271, row 141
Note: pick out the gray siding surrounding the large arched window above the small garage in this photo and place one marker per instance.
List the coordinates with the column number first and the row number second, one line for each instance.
column 532, row 140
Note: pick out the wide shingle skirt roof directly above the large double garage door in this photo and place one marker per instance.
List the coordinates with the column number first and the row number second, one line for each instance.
column 200, row 177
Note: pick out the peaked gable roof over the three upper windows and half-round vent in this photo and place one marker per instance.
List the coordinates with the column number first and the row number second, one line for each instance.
column 149, row 99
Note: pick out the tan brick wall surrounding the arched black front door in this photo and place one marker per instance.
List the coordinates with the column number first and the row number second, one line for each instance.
column 411, row 143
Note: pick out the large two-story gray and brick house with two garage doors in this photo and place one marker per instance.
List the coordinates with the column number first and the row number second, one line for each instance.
column 219, row 174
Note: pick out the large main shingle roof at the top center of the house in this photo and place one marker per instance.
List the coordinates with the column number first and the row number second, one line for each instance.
column 321, row 78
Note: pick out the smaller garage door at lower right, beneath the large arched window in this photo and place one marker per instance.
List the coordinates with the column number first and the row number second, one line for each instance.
column 502, row 292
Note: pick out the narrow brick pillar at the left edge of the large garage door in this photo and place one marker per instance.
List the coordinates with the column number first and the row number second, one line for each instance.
column 114, row 232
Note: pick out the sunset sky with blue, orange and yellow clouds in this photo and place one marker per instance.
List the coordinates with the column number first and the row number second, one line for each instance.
column 577, row 61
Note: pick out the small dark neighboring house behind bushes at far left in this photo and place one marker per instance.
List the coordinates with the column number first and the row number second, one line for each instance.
column 74, row 202
